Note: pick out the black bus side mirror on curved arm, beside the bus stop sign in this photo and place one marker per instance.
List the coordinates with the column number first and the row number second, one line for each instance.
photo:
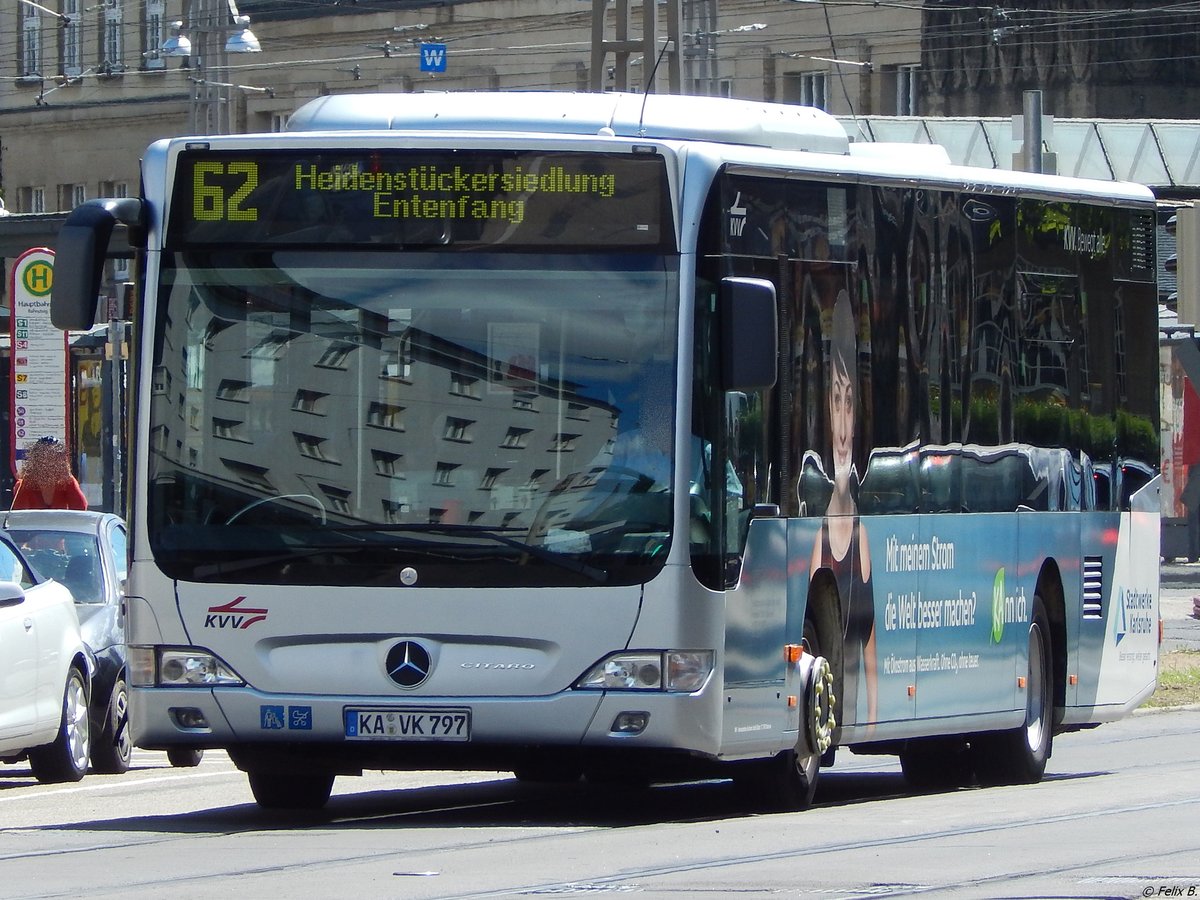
column 80, row 255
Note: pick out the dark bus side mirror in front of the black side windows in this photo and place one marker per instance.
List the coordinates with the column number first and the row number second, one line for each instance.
column 749, row 334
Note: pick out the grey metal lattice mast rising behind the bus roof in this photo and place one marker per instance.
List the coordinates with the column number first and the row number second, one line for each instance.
column 623, row 46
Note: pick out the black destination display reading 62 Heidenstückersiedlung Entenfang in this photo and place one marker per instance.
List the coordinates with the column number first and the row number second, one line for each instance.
column 419, row 199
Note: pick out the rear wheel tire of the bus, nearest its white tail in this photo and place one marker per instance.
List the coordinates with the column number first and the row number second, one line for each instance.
column 1019, row 757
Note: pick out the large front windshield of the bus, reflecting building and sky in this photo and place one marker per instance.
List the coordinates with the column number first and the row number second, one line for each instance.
column 398, row 418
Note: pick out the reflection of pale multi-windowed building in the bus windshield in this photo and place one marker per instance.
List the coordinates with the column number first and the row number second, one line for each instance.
column 409, row 418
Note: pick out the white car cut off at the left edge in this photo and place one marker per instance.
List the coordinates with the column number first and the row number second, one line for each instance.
column 45, row 674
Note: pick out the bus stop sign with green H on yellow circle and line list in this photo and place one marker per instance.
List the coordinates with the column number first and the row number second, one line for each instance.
column 40, row 363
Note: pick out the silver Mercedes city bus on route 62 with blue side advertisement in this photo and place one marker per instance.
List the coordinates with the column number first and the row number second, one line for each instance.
column 628, row 439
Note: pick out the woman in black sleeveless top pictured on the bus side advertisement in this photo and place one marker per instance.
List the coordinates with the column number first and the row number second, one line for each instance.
column 842, row 544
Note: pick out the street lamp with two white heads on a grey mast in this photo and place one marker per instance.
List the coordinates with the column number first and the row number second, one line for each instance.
column 212, row 101
